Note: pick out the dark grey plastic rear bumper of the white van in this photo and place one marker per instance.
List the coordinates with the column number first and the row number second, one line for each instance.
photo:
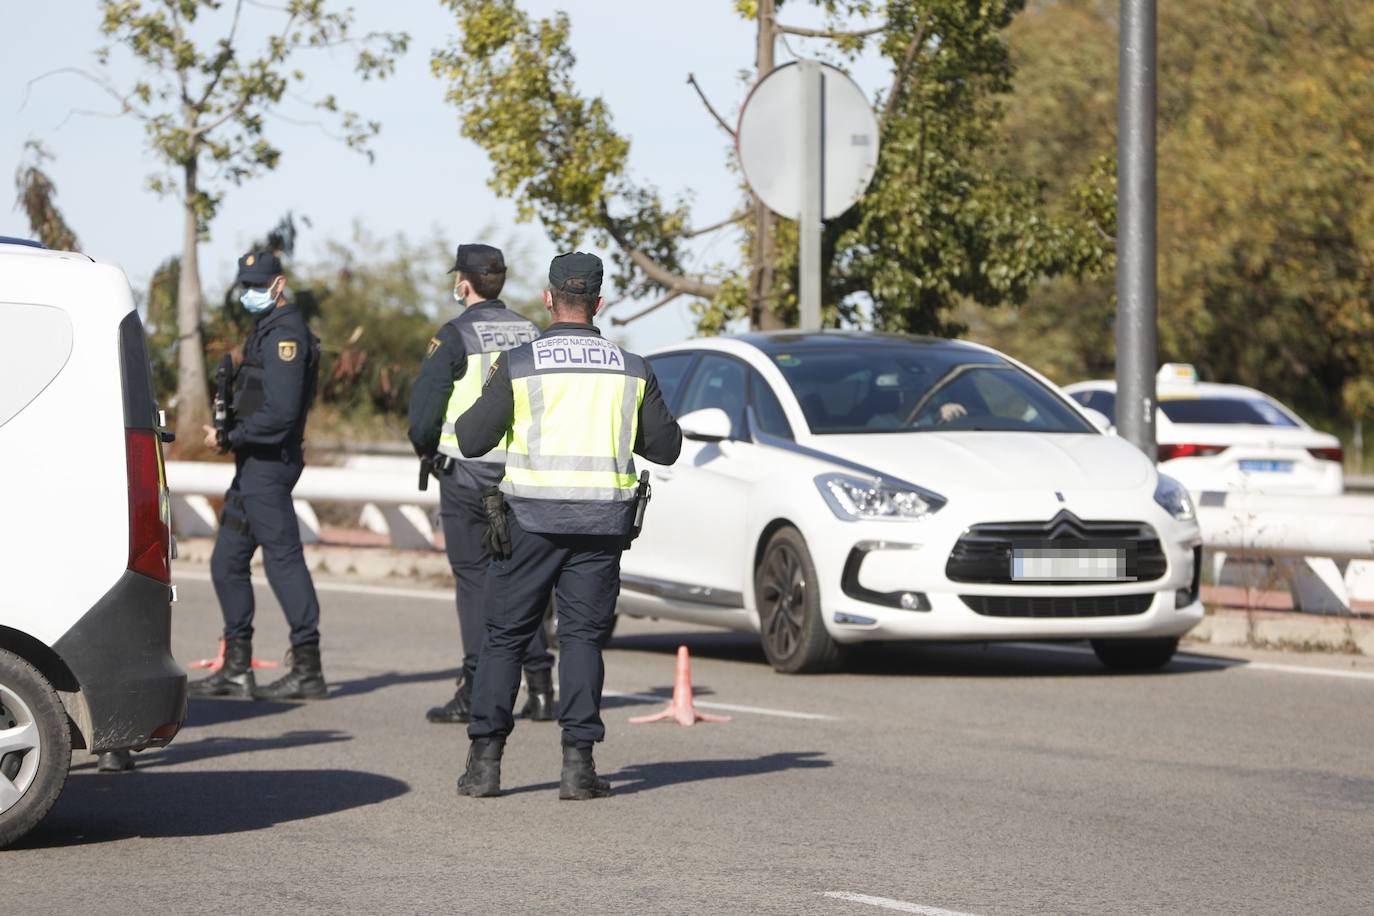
column 131, row 691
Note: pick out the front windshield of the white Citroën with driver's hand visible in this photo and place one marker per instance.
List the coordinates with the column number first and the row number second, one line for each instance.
column 921, row 388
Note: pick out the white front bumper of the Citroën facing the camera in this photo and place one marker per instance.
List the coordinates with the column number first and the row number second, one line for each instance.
column 892, row 586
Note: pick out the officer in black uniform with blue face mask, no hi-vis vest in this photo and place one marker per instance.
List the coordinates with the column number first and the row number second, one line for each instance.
column 274, row 389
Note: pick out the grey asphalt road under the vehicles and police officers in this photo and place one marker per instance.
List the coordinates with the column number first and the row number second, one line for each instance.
column 927, row 779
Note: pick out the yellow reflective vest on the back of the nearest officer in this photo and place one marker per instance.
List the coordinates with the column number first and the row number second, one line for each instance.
column 574, row 431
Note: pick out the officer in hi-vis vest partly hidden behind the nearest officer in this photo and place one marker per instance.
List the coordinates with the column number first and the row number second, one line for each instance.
column 450, row 381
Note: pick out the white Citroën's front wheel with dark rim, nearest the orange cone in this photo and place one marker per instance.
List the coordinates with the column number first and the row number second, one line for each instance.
column 793, row 635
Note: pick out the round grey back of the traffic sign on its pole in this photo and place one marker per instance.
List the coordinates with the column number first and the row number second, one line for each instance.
column 770, row 141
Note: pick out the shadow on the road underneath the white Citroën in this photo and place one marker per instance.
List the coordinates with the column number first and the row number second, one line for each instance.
column 908, row 660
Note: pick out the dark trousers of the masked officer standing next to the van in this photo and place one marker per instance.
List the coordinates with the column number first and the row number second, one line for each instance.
column 259, row 513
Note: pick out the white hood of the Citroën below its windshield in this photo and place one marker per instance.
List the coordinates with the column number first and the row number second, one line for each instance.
column 997, row 461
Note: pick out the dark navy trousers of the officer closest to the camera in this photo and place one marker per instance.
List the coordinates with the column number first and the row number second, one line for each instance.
column 583, row 573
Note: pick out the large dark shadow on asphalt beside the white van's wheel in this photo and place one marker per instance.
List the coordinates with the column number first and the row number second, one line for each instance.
column 98, row 810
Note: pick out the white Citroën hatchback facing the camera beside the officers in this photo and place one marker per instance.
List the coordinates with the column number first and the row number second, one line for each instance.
column 840, row 488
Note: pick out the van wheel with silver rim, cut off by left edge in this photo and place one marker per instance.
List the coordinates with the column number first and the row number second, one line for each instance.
column 35, row 748
